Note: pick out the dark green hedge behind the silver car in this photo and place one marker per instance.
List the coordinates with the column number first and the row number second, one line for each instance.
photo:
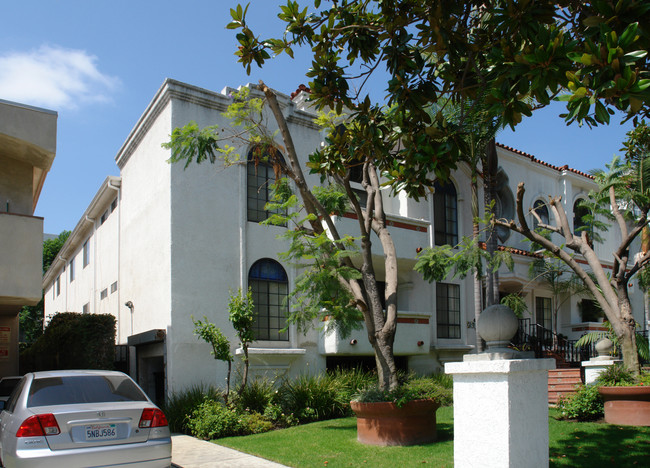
column 73, row 341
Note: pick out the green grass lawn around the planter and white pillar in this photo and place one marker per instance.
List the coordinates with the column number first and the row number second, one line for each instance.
column 333, row 444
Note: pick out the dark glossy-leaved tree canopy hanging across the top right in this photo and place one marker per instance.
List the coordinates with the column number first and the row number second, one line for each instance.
column 522, row 54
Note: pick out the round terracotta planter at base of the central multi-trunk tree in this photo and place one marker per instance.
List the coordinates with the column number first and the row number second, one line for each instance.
column 384, row 423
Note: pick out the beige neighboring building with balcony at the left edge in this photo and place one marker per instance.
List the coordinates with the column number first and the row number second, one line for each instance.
column 27, row 149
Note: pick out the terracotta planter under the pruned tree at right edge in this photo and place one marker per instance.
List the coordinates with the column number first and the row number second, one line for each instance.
column 628, row 406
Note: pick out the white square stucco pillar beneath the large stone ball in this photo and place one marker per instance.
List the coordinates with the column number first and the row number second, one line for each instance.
column 500, row 412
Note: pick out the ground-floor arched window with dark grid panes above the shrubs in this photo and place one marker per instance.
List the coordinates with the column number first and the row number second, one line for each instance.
column 270, row 287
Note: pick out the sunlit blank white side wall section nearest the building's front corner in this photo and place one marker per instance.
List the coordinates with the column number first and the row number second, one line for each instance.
column 144, row 217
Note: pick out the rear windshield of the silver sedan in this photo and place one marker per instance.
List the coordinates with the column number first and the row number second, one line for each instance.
column 83, row 389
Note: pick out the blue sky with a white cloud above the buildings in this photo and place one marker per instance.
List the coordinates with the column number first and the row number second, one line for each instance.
column 99, row 63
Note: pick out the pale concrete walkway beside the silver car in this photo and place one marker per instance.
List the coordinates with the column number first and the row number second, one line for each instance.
column 189, row 452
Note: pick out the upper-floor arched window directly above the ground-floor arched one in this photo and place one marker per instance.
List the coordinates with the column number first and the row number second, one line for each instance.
column 260, row 178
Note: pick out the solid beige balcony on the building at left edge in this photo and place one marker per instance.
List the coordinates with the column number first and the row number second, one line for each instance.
column 21, row 268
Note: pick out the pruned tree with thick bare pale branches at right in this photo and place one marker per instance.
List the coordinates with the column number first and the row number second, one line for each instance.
column 623, row 199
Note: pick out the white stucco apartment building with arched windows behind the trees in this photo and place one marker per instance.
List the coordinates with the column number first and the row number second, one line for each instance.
column 162, row 244
